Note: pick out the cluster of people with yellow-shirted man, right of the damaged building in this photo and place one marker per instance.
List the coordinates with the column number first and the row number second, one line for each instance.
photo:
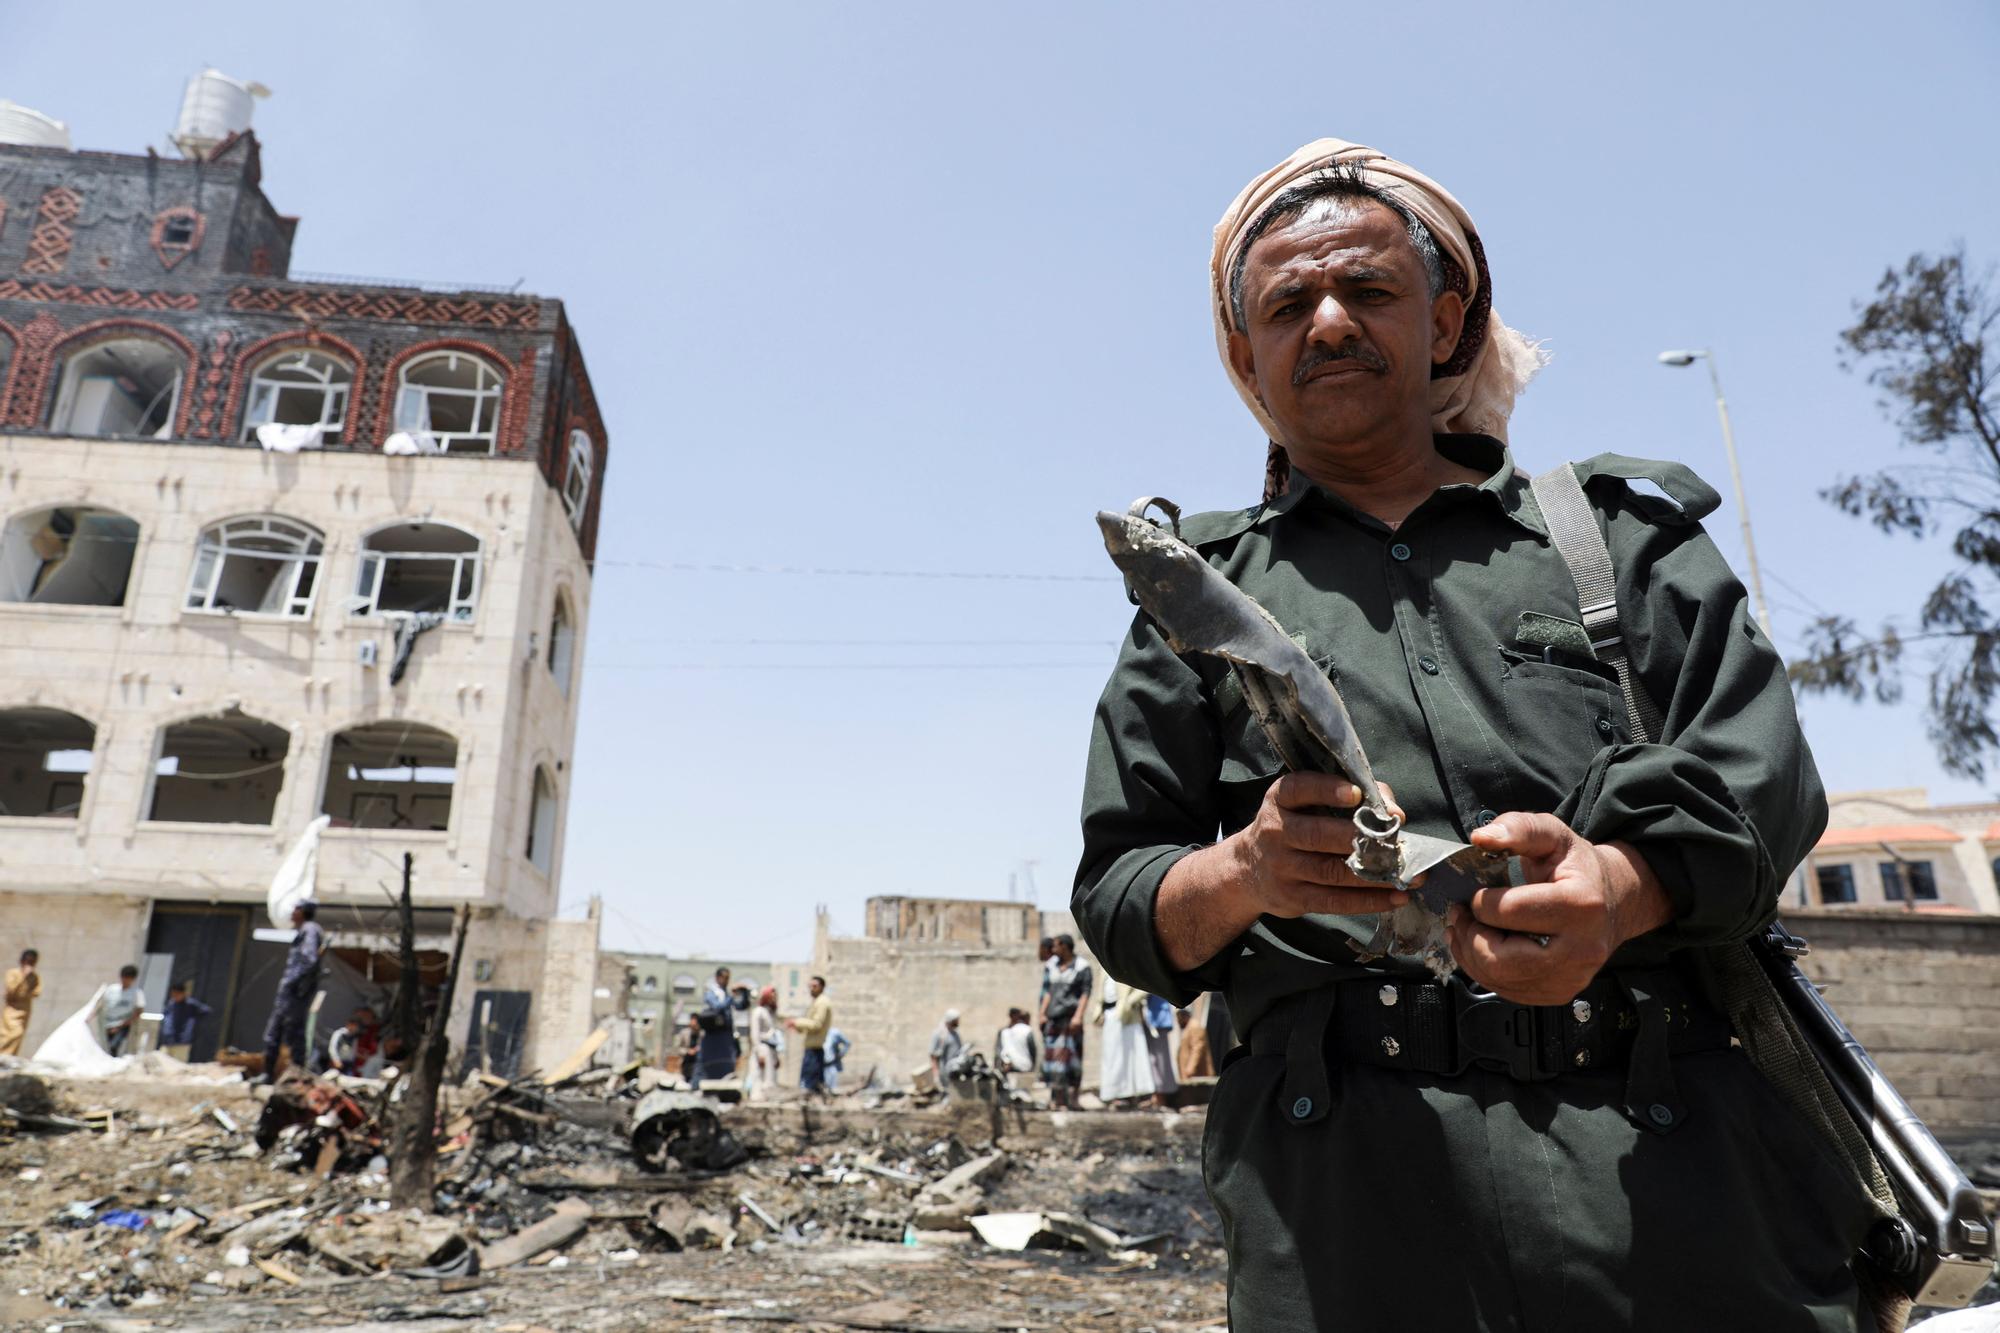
column 735, row 1036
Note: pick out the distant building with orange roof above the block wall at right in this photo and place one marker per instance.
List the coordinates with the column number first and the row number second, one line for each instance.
column 1899, row 850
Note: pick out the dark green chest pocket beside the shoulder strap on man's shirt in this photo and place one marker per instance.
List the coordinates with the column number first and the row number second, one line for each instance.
column 1559, row 718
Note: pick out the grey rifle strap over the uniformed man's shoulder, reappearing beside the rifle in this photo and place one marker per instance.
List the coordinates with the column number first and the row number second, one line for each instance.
column 1763, row 1024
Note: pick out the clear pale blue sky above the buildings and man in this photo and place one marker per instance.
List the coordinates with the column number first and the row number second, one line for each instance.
column 921, row 287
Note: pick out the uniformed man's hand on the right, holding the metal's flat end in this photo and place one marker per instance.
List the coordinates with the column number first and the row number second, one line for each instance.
column 1583, row 898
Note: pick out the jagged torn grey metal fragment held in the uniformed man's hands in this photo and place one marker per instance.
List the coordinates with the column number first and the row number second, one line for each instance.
column 1305, row 720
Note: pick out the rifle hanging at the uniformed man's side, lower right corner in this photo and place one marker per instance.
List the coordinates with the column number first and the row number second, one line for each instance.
column 1939, row 1250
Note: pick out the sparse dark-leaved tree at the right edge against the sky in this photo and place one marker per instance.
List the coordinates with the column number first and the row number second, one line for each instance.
column 1925, row 341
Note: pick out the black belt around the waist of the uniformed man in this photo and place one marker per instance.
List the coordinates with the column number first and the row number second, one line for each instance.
column 1449, row 1028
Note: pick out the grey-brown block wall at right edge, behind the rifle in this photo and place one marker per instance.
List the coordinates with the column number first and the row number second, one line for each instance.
column 1923, row 994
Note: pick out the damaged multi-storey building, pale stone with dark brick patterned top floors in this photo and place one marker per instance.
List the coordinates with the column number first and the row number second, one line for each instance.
column 271, row 549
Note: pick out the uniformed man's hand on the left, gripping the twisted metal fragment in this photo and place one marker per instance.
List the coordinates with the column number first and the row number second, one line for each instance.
column 1295, row 856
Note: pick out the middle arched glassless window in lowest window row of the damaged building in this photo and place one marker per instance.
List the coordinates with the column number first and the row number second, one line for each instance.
column 223, row 770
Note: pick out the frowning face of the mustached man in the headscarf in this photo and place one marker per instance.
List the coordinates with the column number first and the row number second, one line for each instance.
column 1341, row 331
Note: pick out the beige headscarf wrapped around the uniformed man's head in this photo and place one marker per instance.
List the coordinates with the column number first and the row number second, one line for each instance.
column 1475, row 389
